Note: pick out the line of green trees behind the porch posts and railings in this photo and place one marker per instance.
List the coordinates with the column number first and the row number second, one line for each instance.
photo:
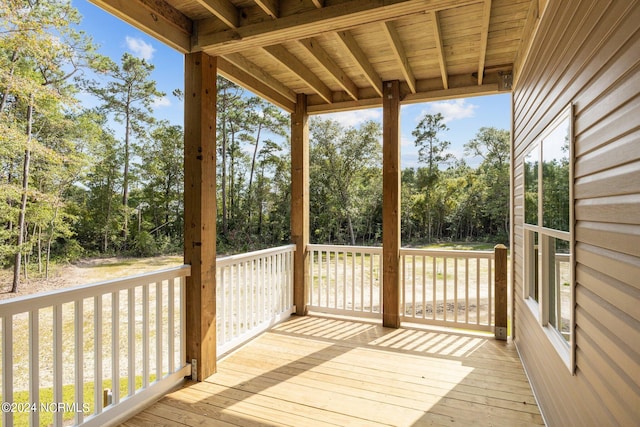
column 74, row 187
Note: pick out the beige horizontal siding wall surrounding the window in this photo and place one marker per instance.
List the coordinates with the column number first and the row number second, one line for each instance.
column 588, row 53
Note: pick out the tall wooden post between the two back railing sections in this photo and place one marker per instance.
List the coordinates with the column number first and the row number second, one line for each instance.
column 391, row 204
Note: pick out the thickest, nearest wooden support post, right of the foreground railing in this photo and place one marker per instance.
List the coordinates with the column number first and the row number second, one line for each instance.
column 200, row 210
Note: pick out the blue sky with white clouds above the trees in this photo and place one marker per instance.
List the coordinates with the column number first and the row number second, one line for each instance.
column 463, row 117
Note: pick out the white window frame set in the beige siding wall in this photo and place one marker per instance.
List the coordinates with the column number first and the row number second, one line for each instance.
column 540, row 308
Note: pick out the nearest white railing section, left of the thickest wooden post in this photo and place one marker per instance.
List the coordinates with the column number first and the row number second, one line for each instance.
column 92, row 353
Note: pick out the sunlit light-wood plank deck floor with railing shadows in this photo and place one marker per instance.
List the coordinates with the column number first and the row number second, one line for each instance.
column 321, row 371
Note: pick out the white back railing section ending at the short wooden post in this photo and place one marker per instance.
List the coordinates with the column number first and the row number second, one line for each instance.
column 448, row 287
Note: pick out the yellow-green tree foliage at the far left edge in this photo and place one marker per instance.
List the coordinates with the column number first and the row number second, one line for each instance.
column 42, row 59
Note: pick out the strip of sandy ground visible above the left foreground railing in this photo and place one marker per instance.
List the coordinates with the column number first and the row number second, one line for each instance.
column 84, row 272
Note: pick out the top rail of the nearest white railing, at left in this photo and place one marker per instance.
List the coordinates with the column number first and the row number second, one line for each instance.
column 62, row 296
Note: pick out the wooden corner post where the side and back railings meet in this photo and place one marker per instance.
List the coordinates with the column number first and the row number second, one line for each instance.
column 300, row 202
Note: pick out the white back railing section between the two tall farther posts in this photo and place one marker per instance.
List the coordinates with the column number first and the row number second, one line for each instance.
column 345, row 280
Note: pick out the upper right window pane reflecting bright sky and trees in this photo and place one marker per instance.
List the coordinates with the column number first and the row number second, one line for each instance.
column 555, row 178
